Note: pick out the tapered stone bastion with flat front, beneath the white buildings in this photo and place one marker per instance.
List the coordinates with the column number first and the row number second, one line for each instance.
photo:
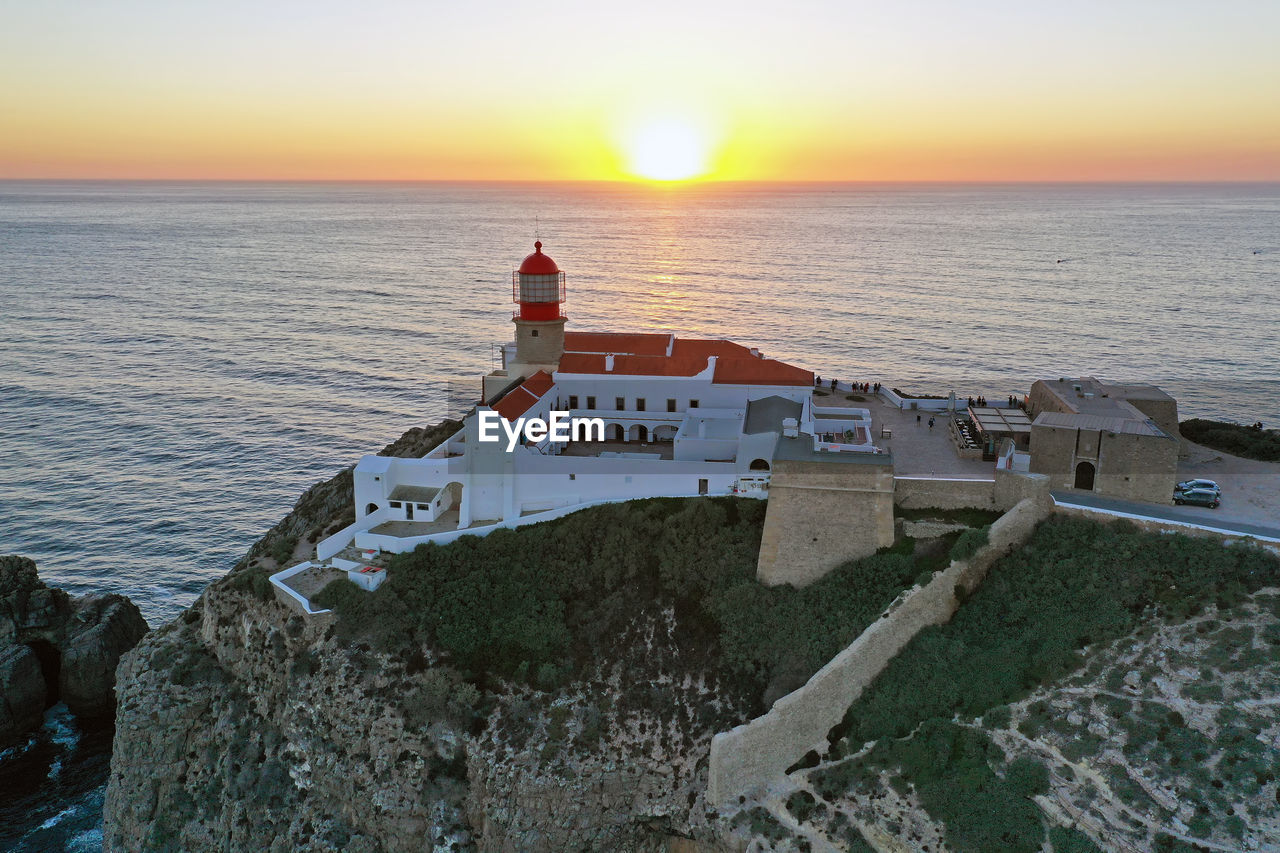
column 822, row 514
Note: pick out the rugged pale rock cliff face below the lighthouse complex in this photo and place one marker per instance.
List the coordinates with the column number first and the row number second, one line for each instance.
column 244, row 726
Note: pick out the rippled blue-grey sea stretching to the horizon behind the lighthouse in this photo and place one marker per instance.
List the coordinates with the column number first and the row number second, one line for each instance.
column 179, row 362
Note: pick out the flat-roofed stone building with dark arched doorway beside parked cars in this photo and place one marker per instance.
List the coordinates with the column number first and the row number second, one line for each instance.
column 1116, row 440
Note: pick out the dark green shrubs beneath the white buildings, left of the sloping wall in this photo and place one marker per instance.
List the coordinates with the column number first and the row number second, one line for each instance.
column 545, row 601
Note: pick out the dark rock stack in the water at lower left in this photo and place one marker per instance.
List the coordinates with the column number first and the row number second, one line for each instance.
column 58, row 647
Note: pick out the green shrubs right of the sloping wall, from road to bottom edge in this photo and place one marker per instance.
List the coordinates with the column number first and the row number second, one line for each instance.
column 1073, row 586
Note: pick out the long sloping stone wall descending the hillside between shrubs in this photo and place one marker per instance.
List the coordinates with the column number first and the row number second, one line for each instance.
column 751, row 756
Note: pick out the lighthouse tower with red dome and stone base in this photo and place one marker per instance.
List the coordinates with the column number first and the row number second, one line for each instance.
column 538, row 289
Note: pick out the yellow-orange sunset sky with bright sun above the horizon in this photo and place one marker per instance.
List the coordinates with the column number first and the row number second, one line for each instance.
column 589, row 90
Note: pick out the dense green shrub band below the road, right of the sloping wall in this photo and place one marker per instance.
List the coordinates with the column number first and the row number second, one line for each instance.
column 1076, row 583
